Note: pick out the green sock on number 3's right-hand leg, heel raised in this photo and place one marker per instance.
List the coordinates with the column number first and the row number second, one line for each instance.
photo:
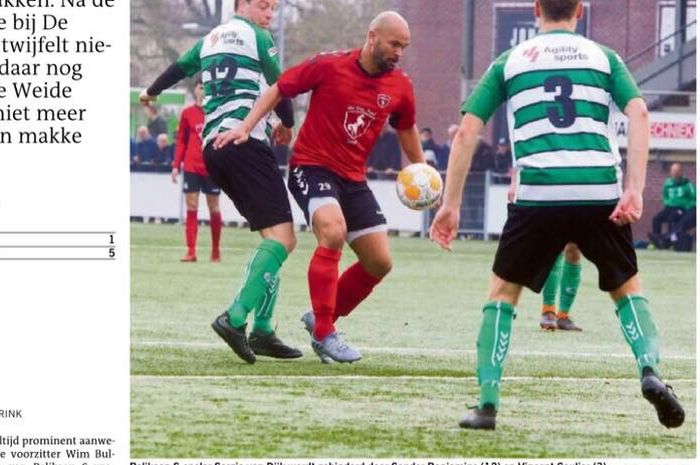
column 640, row 331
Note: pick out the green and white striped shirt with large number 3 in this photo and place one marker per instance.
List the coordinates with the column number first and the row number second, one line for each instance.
column 561, row 90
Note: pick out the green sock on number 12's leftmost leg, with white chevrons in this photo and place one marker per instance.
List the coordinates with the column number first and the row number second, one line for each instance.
column 263, row 266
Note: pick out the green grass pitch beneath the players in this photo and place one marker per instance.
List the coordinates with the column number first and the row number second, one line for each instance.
column 564, row 395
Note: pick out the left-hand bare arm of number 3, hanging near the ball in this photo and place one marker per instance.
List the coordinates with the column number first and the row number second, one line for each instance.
column 446, row 222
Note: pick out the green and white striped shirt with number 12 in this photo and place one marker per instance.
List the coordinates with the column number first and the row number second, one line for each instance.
column 238, row 61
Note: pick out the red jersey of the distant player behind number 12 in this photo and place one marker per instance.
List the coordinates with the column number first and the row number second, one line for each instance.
column 188, row 145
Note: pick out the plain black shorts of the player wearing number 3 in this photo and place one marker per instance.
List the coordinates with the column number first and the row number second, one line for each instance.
column 533, row 237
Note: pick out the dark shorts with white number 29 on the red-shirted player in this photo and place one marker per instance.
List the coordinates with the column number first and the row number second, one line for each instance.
column 315, row 186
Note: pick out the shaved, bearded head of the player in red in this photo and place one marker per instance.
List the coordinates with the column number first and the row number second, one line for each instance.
column 387, row 38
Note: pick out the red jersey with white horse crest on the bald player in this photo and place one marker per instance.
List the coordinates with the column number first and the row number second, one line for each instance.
column 347, row 111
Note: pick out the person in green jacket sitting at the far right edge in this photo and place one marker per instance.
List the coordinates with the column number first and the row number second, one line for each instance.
column 678, row 211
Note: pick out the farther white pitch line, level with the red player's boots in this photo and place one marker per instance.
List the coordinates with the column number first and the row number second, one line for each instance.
column 420, row 351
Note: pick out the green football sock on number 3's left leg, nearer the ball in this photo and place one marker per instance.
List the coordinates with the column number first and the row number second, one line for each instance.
column 491, row 350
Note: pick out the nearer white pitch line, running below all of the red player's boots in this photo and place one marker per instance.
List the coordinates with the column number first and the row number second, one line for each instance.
column 384, row 378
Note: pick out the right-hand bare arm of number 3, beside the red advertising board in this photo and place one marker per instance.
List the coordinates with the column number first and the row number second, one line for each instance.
column 629, row 208
